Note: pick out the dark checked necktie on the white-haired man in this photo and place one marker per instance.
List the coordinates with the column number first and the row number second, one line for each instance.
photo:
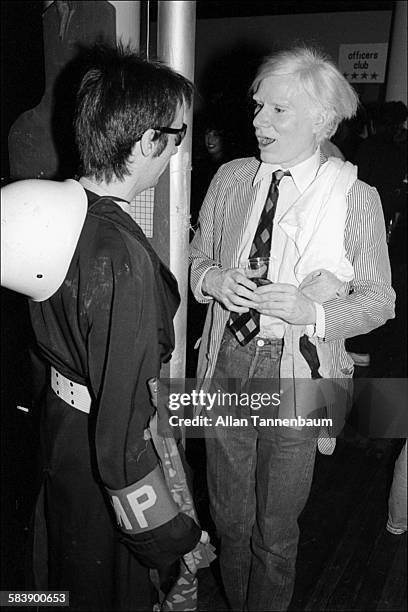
column 245, row 326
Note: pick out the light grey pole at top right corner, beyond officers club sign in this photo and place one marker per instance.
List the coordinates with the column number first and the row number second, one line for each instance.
column 397, row 63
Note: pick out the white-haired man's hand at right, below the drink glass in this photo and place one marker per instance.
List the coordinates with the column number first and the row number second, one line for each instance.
column 286, row 302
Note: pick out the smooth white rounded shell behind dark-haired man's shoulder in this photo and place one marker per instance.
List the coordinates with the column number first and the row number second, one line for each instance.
column 41, row 222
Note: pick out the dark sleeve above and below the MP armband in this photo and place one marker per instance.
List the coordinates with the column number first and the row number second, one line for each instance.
column 123, row 353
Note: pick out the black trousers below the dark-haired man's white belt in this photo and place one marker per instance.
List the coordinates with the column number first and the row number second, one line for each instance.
column 76, row 547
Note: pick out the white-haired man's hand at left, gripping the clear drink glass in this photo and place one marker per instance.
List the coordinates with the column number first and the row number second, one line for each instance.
column 230, row 287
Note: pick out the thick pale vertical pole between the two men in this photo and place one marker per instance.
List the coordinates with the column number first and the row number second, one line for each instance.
column 176, row 47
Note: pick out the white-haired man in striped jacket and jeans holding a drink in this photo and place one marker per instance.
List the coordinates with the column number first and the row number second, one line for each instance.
column 324, row 230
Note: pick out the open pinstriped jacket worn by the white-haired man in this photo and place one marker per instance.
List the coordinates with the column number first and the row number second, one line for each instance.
column 370, row 299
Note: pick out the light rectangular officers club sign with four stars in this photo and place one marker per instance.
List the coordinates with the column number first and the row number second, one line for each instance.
column 363, row 63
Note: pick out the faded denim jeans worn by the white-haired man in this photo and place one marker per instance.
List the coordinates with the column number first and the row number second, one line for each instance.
column 259, row 479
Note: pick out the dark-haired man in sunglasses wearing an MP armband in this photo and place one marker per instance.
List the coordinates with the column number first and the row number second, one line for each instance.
column 105, row 331
